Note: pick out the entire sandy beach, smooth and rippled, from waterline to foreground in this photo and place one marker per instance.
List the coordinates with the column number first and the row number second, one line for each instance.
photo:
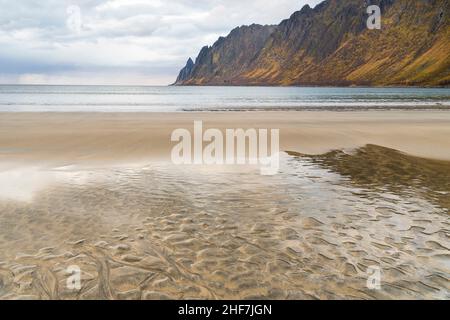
column 96, row 191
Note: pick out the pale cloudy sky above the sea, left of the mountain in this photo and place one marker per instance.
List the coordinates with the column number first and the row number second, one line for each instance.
column 121, row 42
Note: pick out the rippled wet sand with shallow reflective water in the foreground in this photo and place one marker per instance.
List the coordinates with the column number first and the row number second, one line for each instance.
column 160, row 231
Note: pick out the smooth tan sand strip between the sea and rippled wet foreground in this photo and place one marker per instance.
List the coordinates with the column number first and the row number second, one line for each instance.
column 83, row 138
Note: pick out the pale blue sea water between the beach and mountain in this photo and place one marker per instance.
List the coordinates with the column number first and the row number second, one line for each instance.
column 16, row 98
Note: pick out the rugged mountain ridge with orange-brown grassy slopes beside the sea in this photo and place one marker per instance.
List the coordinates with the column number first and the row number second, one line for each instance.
column 331, row 45
